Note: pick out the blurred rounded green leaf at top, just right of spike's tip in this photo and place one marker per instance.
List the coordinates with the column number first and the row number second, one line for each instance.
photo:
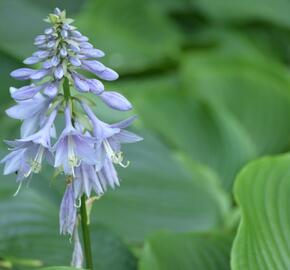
column 135, row 36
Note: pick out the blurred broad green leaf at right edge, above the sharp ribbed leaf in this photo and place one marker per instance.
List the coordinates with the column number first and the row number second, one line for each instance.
column 253, row 89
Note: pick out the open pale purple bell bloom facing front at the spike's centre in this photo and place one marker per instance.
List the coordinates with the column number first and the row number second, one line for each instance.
column 73, row 147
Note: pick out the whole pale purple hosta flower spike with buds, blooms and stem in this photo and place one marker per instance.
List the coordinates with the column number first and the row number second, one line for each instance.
column 86, row 149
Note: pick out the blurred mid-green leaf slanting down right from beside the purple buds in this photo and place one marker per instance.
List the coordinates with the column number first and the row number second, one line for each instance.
column 205, row 133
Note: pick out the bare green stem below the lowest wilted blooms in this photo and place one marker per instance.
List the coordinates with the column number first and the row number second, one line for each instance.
column 86, row 234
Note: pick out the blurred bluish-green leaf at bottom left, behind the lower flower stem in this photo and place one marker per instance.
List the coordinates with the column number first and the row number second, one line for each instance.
column 30, row 234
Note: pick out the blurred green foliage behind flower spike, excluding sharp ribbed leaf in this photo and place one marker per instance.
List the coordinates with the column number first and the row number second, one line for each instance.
column 210, row 83
